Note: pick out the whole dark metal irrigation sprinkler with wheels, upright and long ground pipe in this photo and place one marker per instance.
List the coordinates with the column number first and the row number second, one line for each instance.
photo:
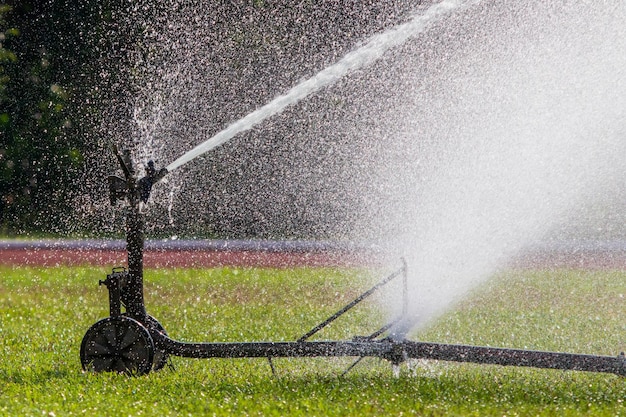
column 133, row 342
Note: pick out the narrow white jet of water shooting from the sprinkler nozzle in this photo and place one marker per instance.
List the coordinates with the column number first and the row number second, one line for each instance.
column 365, row 55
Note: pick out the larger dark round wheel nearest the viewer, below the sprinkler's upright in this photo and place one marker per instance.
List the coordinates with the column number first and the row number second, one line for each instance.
column 117, row 344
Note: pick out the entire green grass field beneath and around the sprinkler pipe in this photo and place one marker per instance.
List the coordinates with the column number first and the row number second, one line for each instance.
column 44, row 314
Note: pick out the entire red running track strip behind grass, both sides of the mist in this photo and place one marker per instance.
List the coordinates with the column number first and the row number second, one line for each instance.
column 274, row 255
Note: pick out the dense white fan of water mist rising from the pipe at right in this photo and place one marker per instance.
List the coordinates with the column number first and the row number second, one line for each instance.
column 522, row 128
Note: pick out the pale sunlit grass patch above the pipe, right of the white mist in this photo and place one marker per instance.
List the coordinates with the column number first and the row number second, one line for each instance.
column 565, row 310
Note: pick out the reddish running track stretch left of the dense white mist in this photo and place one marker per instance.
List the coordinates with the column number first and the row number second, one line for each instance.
column 186, row 254
